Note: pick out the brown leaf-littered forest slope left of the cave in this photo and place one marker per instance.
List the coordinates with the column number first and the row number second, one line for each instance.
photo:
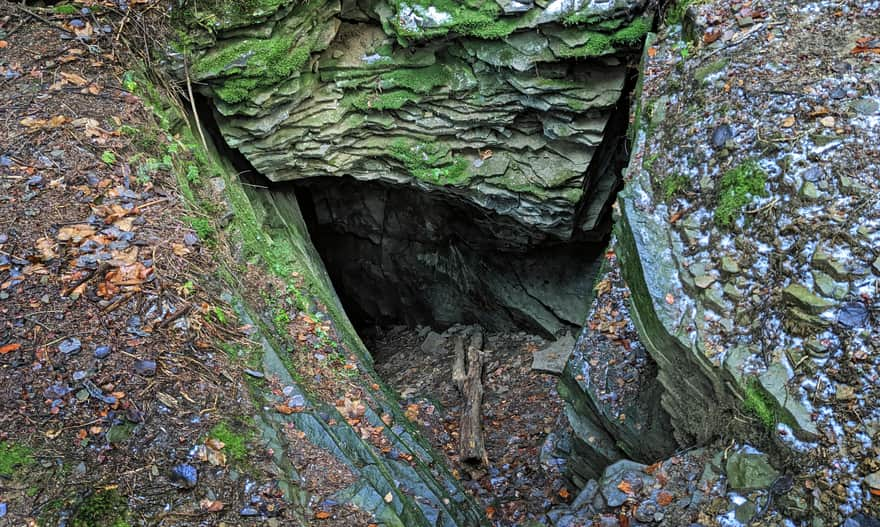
column 115, row 391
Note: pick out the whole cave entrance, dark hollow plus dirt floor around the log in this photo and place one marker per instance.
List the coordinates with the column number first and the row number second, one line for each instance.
column 419, row 273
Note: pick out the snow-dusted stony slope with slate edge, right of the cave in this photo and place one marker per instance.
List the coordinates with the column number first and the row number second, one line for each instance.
column 749, row 236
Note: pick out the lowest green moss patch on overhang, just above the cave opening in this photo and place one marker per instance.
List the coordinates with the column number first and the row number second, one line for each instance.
column 430, row 162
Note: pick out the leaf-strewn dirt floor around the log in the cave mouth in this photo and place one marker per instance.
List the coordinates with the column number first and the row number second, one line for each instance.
column 520, row 407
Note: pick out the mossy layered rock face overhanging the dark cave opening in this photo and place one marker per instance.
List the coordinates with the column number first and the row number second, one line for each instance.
column 502, row 105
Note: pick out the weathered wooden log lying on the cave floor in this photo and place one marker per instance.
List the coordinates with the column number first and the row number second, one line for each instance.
column 472, row 450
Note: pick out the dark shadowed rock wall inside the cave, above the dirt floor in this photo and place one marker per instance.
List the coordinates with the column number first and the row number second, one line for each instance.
column 401, row 255
